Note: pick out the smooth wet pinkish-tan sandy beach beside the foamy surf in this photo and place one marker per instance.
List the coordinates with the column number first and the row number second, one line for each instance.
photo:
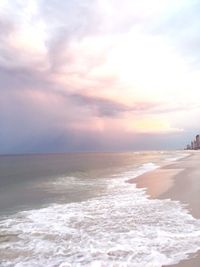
column 177, row 181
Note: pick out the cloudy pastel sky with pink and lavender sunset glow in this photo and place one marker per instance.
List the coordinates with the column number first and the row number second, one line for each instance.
column 98, row 75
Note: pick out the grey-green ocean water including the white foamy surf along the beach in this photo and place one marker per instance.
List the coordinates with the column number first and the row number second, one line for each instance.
column 78, row 210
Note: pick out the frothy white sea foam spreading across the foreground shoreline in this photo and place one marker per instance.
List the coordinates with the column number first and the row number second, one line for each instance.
column 122, row 228
